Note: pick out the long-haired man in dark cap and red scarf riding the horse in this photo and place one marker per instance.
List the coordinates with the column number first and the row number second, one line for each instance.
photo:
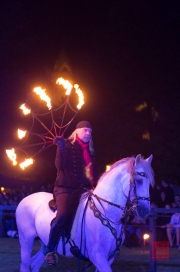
column 76, row 170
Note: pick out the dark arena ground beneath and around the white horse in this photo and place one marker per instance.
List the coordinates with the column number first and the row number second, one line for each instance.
column 135, row 259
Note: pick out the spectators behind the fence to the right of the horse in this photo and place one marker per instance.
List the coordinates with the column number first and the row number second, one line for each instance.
column 163, row 195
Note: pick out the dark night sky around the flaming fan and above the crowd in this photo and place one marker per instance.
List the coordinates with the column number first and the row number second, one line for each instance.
column 122, row 53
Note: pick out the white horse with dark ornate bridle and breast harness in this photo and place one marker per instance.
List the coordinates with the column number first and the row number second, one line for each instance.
column 128, row 180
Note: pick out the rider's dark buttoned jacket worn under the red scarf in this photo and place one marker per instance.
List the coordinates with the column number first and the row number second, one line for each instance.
column 70, row 165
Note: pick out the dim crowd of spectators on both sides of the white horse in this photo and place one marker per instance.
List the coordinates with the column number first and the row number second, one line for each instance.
column 163, row 195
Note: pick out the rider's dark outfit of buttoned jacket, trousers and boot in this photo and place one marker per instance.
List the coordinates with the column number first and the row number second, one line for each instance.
column 69, row 186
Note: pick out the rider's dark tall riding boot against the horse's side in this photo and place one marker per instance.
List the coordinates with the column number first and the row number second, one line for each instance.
column 50, row 250
